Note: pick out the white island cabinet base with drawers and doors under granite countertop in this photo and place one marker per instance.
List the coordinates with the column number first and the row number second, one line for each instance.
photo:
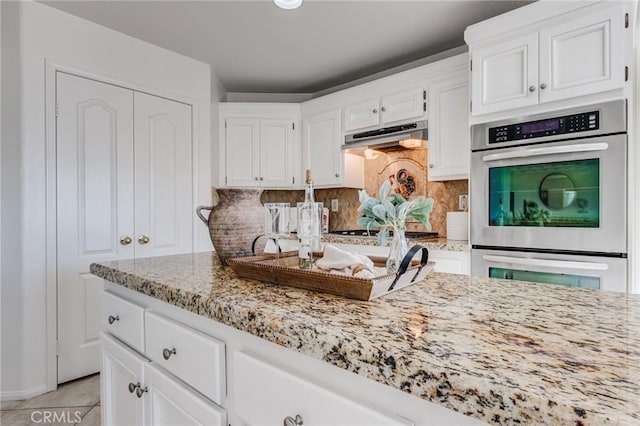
column 260, row 383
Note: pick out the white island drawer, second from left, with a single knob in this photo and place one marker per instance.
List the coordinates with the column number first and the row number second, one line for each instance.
column 194, row 357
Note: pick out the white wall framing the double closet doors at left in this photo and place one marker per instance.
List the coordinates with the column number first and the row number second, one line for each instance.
column 46, row 33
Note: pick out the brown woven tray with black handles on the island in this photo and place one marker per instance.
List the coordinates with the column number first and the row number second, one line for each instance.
column 286, row 272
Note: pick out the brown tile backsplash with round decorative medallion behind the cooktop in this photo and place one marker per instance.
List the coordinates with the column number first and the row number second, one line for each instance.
column 408, row 170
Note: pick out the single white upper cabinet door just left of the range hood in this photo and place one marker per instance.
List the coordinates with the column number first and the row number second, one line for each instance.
column 322, row 146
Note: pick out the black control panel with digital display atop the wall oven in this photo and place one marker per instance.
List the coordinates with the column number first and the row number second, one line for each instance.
column 575, row 123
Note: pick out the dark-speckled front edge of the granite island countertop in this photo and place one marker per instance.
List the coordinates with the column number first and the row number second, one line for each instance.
column 473, row 395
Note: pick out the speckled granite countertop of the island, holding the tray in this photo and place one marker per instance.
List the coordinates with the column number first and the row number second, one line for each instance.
column 506, row 352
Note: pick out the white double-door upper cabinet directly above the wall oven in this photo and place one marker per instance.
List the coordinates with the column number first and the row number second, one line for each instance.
column 577, row 54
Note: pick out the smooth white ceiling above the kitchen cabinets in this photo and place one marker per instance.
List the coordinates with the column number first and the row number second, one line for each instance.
column 252, row 46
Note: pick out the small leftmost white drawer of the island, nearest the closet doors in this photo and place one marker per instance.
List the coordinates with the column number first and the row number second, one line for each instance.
column 123, row 319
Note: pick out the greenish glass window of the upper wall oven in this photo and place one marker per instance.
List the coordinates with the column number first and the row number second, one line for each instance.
column 558, row 194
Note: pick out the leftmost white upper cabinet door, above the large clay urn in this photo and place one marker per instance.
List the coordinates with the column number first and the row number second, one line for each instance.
column 242, row 151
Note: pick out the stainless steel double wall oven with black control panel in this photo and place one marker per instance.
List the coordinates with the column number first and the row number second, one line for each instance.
column 548, row 197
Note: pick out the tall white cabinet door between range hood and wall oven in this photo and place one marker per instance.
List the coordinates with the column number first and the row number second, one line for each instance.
column 449, row 139
